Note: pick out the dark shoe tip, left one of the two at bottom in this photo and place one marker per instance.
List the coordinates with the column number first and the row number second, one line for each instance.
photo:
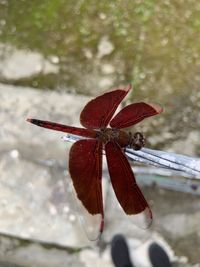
column 120, row 252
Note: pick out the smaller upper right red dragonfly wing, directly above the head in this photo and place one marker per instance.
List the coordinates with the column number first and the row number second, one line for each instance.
column 133, row 114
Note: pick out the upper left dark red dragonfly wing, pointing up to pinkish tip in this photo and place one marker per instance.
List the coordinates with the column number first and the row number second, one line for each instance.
column 98, row 112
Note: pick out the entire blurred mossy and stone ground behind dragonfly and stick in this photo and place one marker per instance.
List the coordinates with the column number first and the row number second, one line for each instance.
column 54, row 56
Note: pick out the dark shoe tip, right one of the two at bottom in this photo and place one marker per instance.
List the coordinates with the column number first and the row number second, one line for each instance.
column 158, row 256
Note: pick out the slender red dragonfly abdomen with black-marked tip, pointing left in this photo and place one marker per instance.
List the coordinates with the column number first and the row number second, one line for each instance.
column 63, row 128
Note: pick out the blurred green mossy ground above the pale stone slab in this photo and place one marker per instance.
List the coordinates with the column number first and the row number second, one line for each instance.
column 156, row 43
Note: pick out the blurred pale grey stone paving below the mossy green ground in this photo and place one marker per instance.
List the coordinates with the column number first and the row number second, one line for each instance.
column 39, row 225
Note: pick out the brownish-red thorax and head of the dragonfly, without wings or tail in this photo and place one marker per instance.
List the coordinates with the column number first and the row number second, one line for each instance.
column 124, row 139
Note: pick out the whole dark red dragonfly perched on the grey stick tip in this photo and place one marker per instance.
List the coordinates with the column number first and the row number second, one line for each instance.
column 104, row 133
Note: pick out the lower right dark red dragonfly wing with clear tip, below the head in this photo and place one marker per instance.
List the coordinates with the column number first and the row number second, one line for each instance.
column 124, row 184
